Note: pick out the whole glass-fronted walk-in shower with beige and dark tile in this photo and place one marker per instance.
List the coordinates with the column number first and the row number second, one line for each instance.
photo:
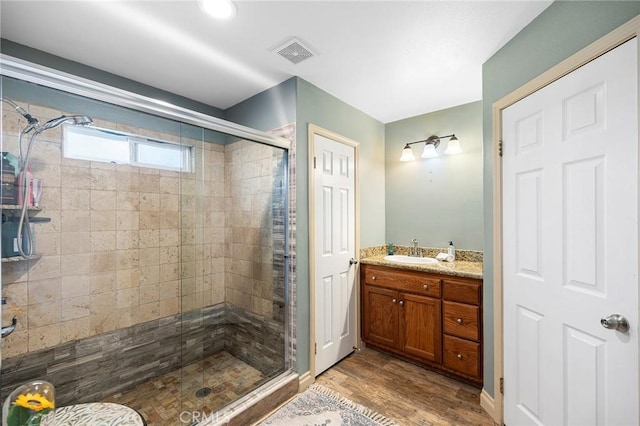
column 149, row 283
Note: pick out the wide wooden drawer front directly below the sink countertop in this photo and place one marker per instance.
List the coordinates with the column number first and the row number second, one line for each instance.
column 398, row 279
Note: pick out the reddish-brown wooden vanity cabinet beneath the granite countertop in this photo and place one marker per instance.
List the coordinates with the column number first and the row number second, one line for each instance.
column 430, row 318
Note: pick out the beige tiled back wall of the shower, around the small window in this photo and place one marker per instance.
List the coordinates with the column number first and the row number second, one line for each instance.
column 125, row 244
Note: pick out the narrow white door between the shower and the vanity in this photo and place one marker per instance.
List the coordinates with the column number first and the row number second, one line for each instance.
column 334, row 247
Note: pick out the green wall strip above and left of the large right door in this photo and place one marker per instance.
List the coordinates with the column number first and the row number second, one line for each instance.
column 561, row 30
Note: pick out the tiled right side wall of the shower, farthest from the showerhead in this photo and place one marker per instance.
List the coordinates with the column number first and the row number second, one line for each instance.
column 255, row 275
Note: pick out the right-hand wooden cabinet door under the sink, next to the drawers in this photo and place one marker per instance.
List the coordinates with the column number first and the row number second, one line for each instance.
column 421, row 326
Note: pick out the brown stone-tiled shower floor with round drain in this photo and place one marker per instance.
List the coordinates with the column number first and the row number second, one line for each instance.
column 161, row 400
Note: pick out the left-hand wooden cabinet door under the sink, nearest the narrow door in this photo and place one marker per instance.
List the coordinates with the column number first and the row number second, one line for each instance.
column 380, row 318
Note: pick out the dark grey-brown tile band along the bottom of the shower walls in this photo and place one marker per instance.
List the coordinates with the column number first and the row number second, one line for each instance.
column 90, row 369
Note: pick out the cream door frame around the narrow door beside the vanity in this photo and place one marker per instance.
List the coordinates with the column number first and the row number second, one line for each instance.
column 314, row 131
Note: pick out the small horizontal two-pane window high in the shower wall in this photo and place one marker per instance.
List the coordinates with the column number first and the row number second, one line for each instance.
column 95, row 144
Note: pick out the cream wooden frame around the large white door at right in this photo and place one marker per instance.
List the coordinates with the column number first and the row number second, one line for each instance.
column 495, row 406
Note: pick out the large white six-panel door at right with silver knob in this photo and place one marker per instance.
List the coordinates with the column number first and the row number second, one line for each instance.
column 570, row 244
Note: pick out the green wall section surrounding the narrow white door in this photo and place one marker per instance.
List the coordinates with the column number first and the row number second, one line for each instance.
column 315, row 106
